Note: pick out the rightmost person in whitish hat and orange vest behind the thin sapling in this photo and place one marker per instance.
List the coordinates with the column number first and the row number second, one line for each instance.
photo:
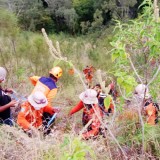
column 151, row 109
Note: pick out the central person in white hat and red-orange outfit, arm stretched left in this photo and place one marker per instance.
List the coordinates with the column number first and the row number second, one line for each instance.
column 91, row 111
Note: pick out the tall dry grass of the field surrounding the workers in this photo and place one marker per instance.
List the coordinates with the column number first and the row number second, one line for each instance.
column 25, row 54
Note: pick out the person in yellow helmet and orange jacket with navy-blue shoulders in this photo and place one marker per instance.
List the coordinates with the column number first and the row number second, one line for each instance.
column 47, row 85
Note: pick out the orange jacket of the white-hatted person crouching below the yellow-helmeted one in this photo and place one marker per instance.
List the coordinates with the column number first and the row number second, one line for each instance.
column 29, row 116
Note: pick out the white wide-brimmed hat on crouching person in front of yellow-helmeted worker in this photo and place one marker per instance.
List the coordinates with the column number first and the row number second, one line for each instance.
column 38, row 100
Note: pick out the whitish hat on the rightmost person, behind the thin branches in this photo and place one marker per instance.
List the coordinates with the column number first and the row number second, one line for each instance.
column 141, row 90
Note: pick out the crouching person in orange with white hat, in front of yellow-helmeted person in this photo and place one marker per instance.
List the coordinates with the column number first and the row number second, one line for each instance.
column 31, row 114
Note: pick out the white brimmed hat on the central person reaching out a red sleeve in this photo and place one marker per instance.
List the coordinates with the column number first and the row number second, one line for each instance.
column 89, row 96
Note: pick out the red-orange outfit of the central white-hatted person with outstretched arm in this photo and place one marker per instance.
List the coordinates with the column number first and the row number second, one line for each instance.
column 89, row 114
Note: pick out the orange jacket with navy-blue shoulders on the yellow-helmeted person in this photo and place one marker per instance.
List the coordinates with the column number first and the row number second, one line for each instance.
column 45, row 85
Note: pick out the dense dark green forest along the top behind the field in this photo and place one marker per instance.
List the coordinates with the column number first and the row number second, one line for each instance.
column 77, row 16
